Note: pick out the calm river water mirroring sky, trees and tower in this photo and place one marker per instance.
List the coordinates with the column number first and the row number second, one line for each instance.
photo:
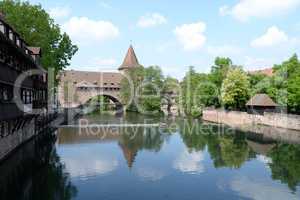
column 181, row 159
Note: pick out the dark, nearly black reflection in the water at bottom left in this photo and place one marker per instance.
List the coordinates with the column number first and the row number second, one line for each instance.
column 34, row 172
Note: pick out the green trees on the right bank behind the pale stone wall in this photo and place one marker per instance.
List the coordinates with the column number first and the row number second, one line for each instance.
column 230, row 86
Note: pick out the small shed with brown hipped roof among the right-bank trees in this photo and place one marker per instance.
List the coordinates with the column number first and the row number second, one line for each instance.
column 261, row 103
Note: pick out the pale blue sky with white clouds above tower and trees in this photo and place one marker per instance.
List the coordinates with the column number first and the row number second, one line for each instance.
column 177, row 34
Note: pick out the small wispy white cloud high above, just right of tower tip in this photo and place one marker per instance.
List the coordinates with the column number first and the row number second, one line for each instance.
column 151, row 20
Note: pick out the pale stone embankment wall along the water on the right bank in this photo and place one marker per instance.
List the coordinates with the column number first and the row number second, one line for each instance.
column 236, row 119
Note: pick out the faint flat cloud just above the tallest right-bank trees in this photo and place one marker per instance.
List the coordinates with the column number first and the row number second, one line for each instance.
column 224, row 50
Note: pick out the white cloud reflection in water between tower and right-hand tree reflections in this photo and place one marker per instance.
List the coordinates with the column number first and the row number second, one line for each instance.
column 190, row 162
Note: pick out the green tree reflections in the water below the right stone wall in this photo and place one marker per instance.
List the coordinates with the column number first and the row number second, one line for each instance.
column 233, row 150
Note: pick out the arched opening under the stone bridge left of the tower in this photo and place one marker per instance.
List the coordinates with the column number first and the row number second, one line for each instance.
column 102, row 103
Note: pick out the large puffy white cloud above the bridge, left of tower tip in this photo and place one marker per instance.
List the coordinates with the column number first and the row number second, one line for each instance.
column 86, row 31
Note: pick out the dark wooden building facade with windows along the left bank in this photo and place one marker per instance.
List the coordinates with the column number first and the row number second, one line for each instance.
column 15, row 59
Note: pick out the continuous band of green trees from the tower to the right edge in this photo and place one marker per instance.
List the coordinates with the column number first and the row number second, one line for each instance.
column 226, row 85
